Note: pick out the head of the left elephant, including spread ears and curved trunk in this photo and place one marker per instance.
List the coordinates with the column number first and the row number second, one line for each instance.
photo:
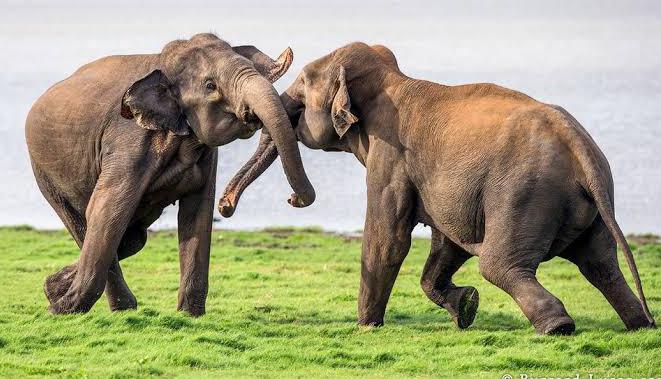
column 221, row 93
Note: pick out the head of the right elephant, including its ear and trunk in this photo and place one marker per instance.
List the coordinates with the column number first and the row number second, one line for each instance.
column 319, row 103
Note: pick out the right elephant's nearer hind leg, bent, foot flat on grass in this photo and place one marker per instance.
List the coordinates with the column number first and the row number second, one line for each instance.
column 518, row 236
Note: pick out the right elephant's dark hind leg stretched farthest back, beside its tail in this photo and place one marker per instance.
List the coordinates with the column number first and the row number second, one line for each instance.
column 595, row 254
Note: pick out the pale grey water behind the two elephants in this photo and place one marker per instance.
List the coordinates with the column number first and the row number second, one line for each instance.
column 601, row 65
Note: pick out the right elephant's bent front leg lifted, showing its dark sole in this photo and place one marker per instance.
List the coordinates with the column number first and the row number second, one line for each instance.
column 444, row 260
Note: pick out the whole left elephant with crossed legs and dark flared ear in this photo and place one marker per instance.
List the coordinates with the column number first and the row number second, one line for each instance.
column 125, row 136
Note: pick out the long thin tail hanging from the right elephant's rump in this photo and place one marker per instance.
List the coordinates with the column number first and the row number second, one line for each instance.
column 597, row 187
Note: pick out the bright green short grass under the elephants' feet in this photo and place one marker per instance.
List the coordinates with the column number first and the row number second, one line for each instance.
column 282, row 303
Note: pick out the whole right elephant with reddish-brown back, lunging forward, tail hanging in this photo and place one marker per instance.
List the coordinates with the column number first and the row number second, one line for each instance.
column 493, row 172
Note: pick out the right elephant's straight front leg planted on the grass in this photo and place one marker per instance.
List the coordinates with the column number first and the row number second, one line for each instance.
column 386, row 242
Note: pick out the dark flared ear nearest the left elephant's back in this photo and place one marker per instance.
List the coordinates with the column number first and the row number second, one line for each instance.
column 151, row 102
